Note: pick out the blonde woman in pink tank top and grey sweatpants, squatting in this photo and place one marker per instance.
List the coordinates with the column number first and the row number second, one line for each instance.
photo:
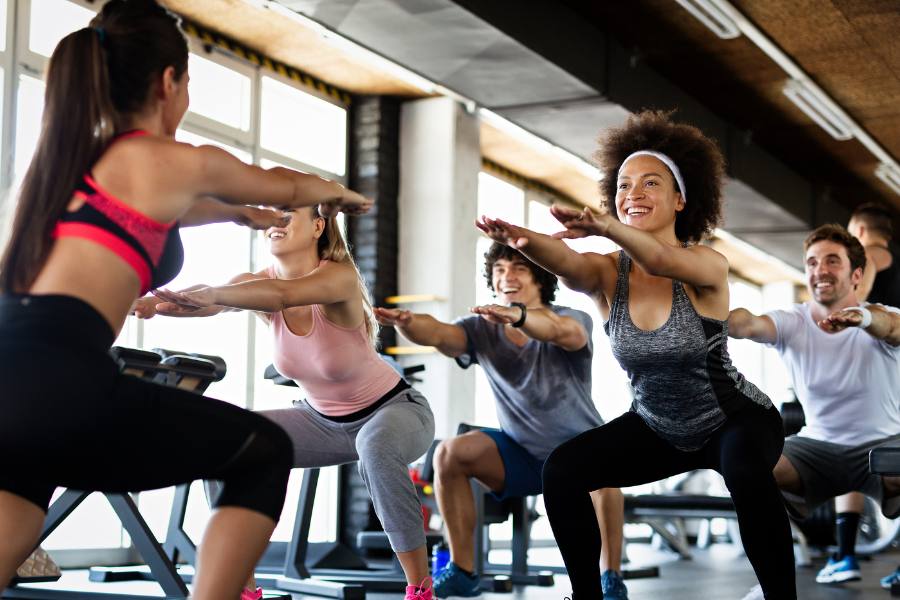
column 357, row 407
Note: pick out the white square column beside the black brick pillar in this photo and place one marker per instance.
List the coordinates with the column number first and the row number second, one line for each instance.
column 440, row 158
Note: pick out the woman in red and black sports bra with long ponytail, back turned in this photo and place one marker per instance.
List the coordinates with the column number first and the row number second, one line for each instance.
column 96, row 226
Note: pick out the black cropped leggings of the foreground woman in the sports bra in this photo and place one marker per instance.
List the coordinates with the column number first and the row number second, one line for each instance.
column 69, row 418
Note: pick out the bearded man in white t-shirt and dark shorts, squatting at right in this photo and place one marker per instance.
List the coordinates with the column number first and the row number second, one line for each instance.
column 844, row 362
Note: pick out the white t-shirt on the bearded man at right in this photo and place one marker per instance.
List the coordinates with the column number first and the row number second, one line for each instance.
column 847, row 382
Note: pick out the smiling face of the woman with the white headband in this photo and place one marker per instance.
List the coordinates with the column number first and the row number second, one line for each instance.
column 645, row 194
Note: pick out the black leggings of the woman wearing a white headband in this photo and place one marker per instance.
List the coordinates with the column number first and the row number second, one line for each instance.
column 626, row 452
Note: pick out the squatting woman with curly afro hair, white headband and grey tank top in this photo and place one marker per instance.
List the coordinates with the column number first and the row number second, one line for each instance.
column 666, row 299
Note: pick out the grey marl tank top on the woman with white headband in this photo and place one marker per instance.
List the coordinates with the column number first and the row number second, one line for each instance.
column 685, row 386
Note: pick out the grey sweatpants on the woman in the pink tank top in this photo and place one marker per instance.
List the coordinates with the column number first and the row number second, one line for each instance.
column 384, row 443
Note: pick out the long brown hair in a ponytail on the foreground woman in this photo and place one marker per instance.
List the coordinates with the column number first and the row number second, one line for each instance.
column 97, row 77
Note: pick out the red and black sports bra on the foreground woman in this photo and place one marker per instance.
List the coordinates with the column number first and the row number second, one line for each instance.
column 153, row 249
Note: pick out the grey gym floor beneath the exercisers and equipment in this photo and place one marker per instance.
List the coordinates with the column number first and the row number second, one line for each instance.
column 714, row 574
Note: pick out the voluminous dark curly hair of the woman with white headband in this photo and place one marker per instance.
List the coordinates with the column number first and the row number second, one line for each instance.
column 698, row 158
